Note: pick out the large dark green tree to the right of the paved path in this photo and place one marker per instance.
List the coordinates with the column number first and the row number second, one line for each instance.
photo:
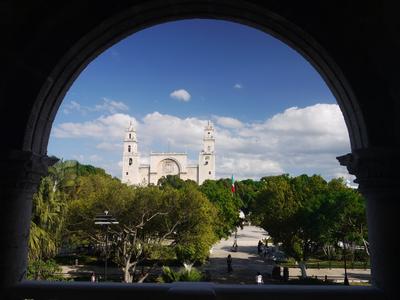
column 307, row 213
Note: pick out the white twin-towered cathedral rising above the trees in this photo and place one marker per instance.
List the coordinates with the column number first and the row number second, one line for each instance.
column 167, row 163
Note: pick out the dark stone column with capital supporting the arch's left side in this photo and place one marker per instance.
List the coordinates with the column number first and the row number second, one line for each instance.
column 20, row 175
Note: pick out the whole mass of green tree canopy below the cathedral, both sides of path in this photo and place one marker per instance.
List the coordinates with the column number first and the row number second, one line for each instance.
column 179, row 219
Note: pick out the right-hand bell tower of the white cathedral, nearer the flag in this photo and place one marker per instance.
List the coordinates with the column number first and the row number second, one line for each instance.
column 207, row 155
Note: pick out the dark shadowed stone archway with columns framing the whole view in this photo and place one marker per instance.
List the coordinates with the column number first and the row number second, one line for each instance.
column 357, row 57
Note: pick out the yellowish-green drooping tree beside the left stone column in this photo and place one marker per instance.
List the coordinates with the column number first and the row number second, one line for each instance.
column 49, row 209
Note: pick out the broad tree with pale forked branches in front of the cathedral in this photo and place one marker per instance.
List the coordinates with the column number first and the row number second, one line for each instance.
column 150, row 219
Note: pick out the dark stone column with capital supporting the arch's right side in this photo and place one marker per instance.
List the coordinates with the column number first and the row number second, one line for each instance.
column 378, row 176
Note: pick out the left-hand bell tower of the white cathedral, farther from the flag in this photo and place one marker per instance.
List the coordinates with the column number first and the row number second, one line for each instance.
column 130, row 157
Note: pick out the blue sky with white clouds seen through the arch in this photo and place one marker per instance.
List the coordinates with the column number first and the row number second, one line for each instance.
column 272, row 111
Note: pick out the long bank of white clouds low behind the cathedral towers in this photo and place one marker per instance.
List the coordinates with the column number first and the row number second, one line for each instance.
column 296, row 141
